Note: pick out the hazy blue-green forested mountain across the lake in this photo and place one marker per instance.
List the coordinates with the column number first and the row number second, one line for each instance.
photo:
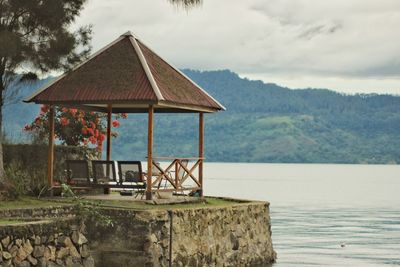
column 263, row 123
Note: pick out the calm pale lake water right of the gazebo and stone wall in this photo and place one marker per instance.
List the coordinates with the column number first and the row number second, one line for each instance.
column 316, row 208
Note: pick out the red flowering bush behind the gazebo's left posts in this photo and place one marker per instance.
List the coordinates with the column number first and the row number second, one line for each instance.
column 74, row 127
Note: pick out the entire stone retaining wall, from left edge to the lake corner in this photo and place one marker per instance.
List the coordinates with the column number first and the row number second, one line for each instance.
column 234, row 235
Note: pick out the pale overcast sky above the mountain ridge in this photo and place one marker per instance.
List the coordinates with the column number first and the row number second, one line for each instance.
column 345, row 45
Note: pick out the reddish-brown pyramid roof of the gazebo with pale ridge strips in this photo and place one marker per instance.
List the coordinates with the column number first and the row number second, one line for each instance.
column 129, row 76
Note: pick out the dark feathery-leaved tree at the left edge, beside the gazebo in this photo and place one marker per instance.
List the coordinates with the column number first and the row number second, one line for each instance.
column 35, row 38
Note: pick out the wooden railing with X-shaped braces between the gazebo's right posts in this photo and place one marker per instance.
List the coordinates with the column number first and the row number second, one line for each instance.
column 182, row 174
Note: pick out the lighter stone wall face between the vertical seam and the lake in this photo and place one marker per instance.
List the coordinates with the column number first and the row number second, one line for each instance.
column 234, row 236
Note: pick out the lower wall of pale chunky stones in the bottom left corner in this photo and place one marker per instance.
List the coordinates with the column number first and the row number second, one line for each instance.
column 44, row 243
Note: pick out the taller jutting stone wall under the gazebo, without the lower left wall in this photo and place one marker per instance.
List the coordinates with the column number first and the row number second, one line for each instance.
column 237, row 235
